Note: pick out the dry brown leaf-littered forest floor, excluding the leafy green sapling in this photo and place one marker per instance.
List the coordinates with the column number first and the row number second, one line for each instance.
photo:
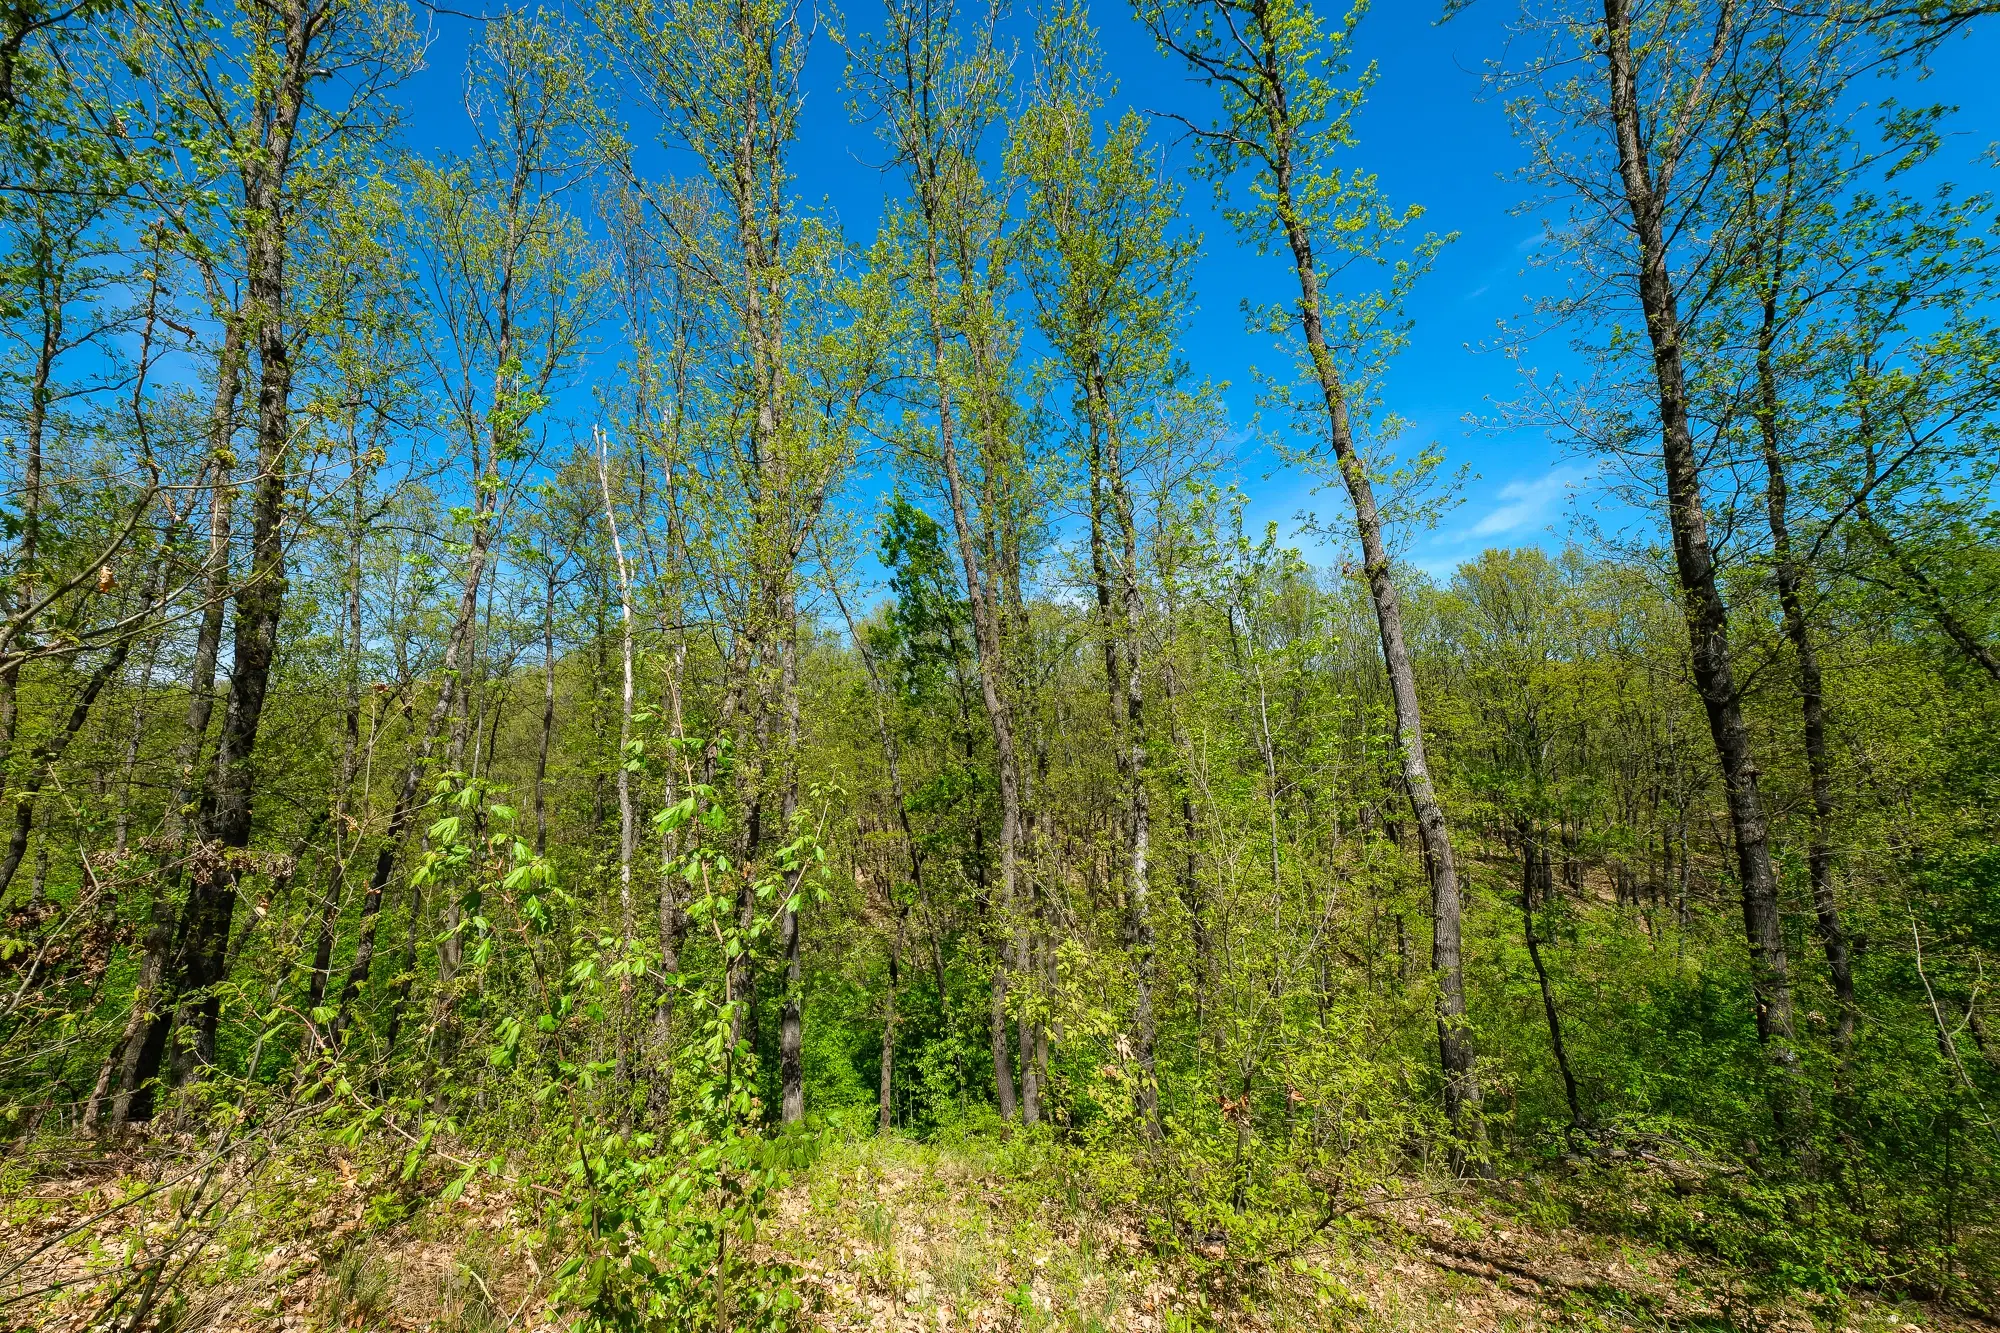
column 883, row 1236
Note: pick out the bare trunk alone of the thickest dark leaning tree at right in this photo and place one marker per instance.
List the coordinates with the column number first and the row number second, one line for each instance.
column 1695, row 563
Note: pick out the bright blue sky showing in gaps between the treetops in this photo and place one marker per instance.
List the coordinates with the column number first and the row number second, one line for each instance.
column 1433, row 139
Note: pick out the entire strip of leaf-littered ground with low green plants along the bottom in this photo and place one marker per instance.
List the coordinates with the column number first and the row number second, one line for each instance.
column 831, row 1228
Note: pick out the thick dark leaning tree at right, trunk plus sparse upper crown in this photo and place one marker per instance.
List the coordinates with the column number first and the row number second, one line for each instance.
column 1635, row 141
